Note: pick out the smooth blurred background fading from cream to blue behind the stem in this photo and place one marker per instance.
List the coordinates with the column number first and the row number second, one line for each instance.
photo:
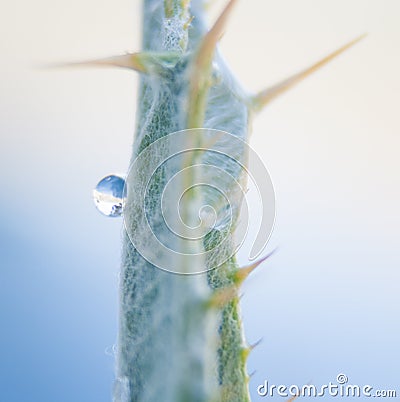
column 327, row 303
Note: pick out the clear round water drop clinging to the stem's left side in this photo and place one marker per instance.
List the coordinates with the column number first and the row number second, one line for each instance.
column 109, row 196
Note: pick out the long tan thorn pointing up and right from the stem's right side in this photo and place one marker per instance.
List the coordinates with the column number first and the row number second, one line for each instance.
column 264, row 97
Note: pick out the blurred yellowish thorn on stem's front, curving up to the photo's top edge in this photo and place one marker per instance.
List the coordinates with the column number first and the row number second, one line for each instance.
column 200, row 79
